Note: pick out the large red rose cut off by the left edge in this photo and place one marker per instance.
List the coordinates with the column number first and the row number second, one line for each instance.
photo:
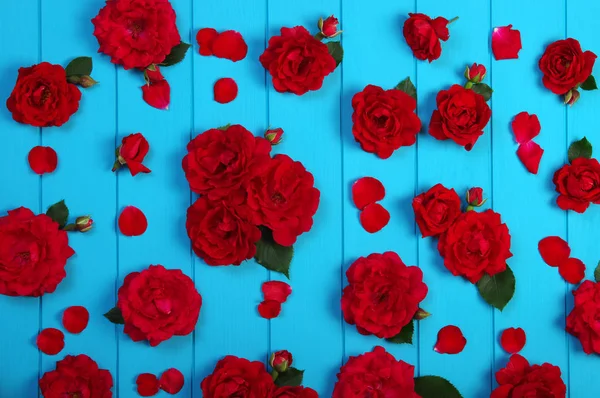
column 33, row 253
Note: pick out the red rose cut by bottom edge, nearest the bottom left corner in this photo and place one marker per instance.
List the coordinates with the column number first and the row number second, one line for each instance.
column 76, row 376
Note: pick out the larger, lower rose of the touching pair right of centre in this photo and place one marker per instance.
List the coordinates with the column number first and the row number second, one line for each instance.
column 476, row 244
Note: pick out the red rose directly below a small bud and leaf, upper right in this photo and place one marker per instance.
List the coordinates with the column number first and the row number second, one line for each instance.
column 461, row 116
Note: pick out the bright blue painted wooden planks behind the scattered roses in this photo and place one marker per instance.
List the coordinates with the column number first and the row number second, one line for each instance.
column 318, row 133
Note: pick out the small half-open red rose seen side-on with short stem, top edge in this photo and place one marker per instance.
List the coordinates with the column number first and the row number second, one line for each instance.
column 423, row 35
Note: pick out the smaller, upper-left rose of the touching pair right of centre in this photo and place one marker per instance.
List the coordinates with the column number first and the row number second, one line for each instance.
column 436, row 210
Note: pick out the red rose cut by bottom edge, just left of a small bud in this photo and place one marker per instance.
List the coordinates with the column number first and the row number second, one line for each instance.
column 240, row 378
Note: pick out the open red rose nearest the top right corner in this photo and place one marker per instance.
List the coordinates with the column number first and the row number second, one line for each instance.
column 565, row 66
